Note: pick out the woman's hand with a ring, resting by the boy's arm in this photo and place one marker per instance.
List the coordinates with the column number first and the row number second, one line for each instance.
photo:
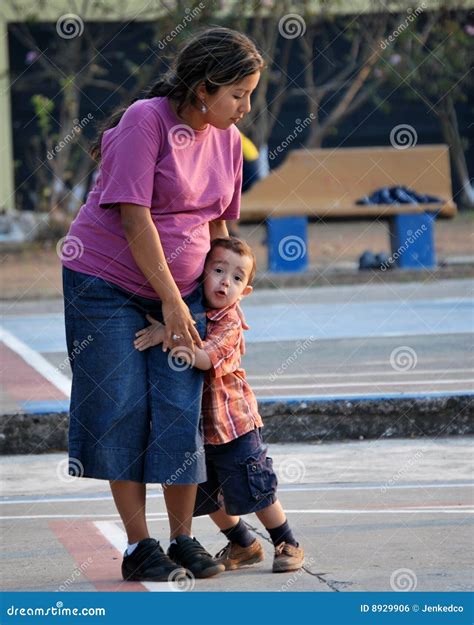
column 179, row 324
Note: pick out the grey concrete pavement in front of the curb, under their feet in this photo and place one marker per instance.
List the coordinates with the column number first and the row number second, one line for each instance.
column 376, row 515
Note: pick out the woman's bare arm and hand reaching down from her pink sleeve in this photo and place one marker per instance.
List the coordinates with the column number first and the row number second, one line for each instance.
column 145, row 245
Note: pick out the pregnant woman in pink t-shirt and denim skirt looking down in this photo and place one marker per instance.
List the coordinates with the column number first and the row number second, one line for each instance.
column 170, row 175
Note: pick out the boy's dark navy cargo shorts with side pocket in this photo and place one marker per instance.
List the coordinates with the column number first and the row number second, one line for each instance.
column 240, row 477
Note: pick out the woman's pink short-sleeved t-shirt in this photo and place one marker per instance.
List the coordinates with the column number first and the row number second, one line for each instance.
column 186, row 178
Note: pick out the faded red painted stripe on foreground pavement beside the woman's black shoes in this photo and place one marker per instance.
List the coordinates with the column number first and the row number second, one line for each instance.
column 95, row 557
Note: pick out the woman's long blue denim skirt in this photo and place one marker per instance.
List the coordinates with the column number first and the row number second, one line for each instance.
column 134, row 415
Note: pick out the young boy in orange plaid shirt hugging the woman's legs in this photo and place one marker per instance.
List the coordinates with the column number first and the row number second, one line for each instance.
column 238, row 468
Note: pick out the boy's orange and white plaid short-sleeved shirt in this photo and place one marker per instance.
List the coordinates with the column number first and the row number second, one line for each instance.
column 229, row 407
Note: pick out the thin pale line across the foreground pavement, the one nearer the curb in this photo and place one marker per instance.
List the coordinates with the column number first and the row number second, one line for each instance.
column 285, row 488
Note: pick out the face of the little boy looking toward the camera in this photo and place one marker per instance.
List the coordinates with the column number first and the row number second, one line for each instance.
column 225, row 277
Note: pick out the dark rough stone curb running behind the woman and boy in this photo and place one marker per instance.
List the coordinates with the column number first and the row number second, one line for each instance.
column 288, row 421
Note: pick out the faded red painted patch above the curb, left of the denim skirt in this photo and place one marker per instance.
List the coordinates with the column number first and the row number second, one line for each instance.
column 22, row 382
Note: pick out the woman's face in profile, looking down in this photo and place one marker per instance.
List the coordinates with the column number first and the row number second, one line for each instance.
column 230, row 103
